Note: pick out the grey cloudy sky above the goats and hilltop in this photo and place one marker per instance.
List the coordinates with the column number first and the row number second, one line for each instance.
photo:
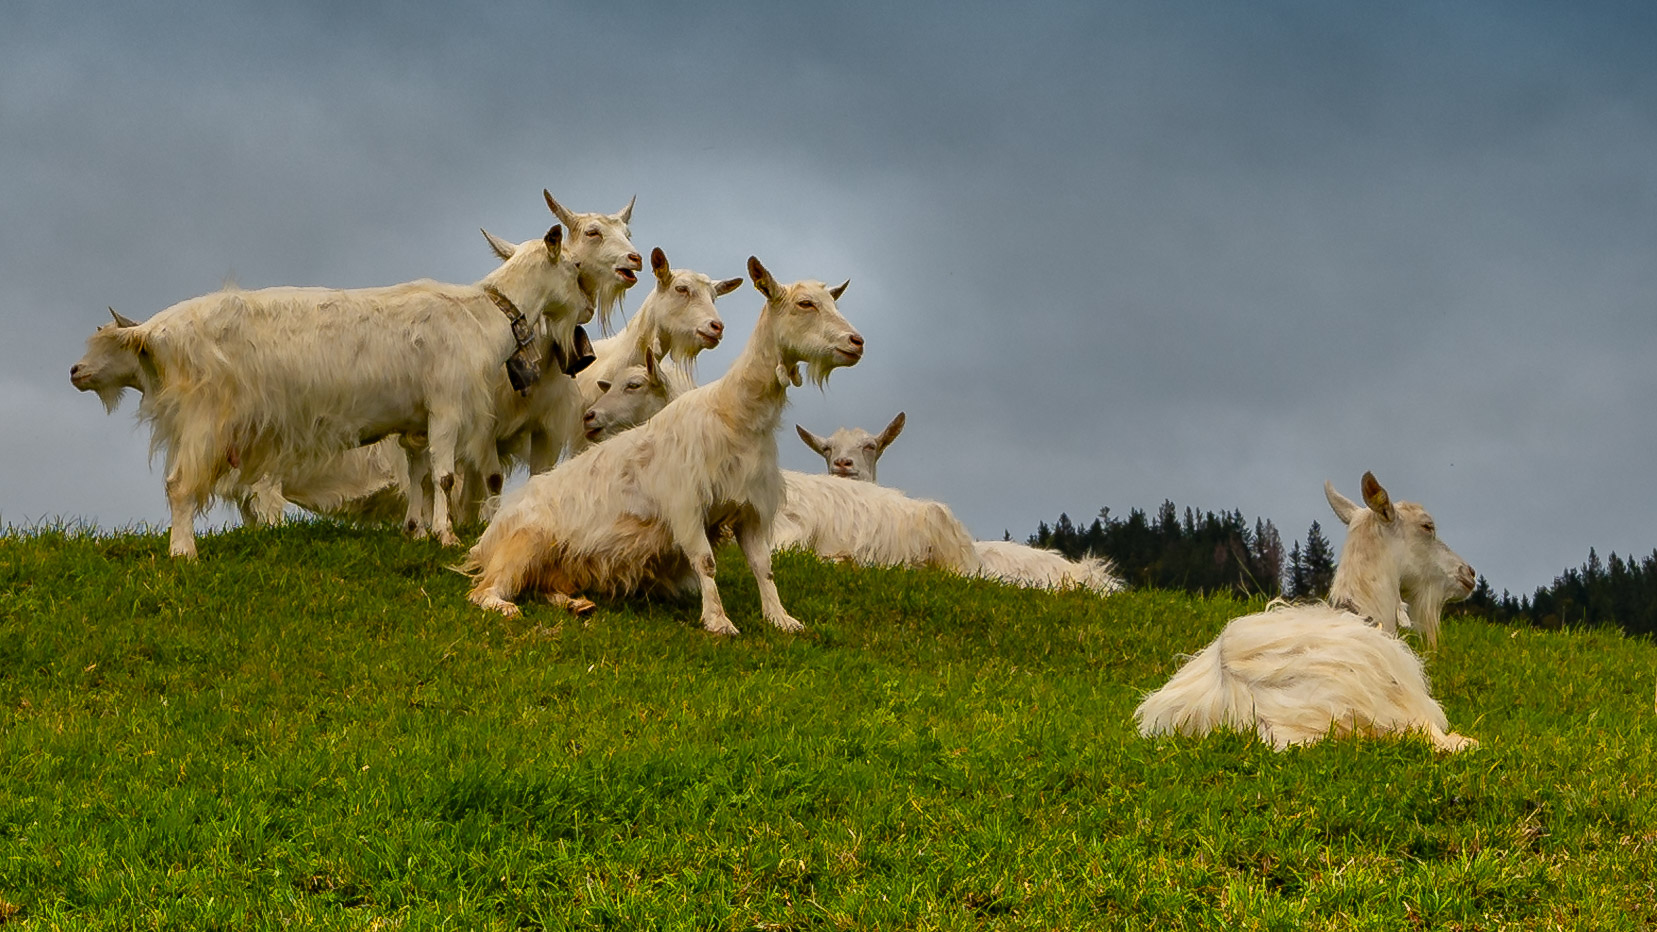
column 1104, row 255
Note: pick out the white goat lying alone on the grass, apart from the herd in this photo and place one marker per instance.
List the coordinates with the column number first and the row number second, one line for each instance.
column 1298, row 672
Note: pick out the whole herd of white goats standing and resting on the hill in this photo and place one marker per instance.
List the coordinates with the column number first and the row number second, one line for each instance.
column 410, row 404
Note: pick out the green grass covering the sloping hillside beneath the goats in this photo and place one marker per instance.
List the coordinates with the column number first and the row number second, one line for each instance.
column 312, row 729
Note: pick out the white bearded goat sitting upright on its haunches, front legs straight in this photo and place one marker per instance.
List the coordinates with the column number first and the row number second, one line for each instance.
column 637, row 513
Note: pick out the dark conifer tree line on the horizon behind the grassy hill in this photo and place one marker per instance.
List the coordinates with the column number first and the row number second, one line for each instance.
column 1225, row 553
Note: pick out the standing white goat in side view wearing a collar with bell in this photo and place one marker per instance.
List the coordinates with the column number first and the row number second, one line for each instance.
column 283, row 379
